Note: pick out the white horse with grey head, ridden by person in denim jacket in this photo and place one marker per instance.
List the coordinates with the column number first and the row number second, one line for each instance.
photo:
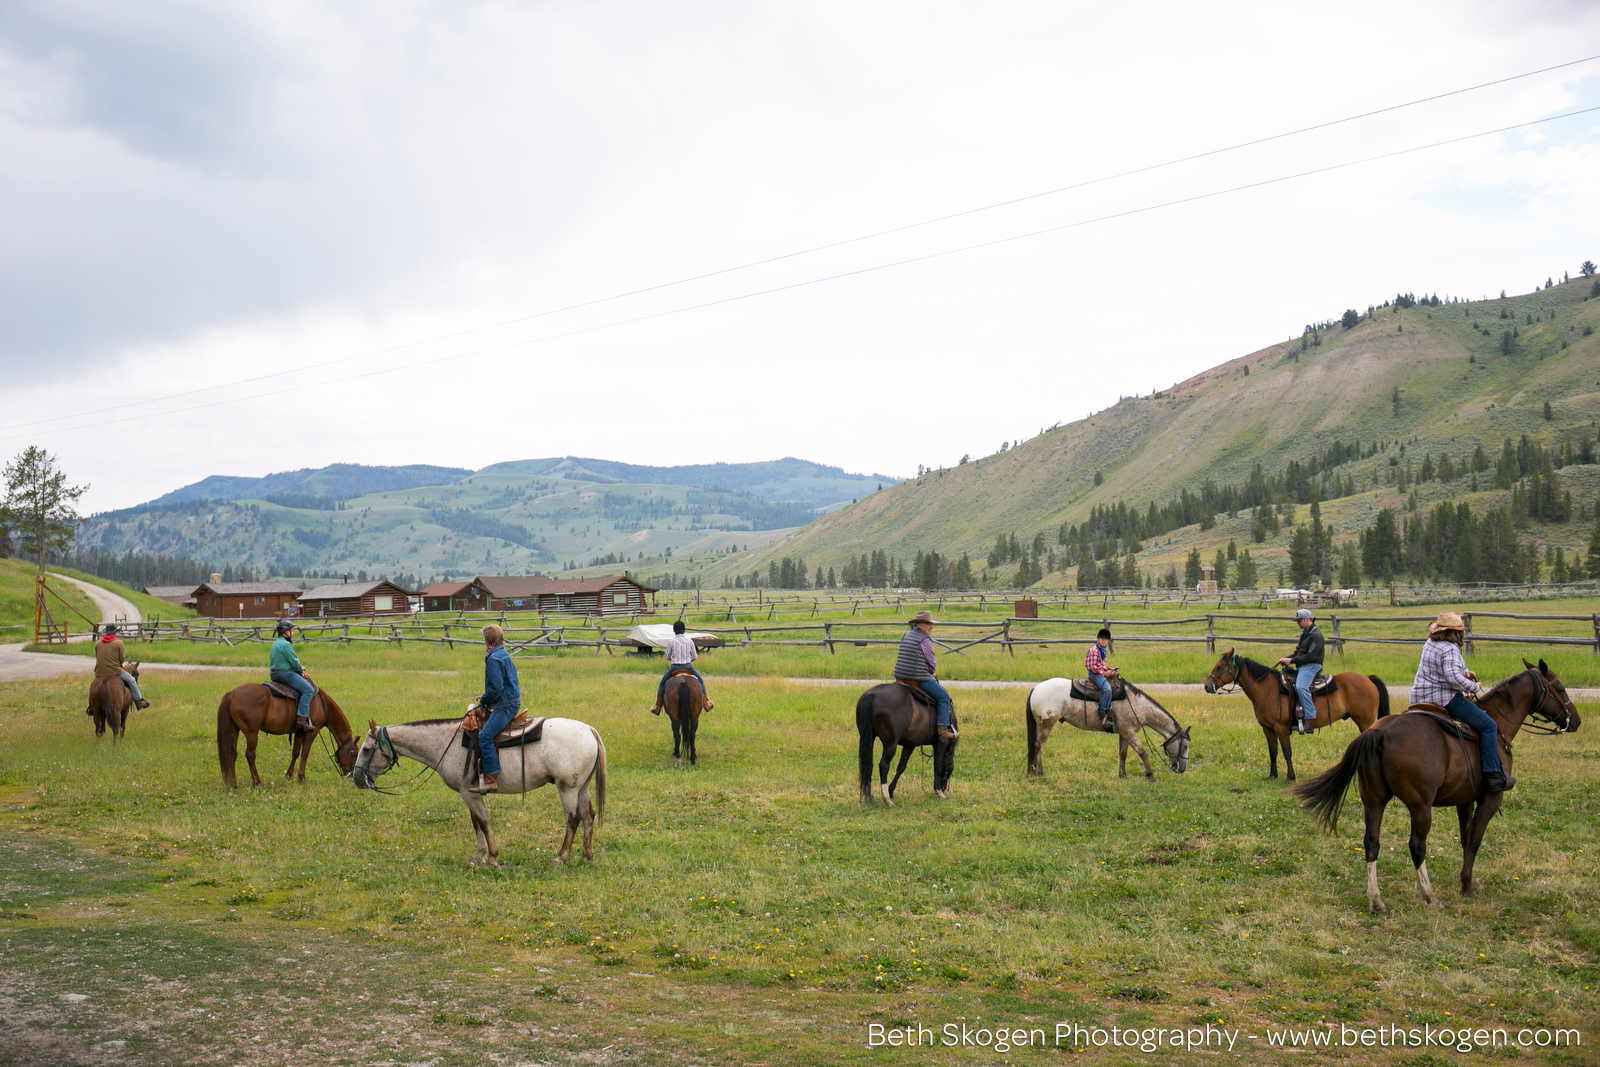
column 569, row 754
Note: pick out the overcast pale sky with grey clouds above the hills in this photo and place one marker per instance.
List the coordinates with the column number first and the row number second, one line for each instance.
column 378, row 214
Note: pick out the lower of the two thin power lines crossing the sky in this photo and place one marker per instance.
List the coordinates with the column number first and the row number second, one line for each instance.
column 844, row 274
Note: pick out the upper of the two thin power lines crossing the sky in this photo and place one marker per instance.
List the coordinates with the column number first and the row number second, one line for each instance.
column 815, row 249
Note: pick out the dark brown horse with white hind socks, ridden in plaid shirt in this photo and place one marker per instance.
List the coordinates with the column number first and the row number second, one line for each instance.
column 1415, row 759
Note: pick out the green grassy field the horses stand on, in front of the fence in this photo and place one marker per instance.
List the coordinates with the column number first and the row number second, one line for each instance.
column 748, row 909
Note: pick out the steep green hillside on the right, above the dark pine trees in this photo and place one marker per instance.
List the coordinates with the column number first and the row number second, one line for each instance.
column 1428, row 380
